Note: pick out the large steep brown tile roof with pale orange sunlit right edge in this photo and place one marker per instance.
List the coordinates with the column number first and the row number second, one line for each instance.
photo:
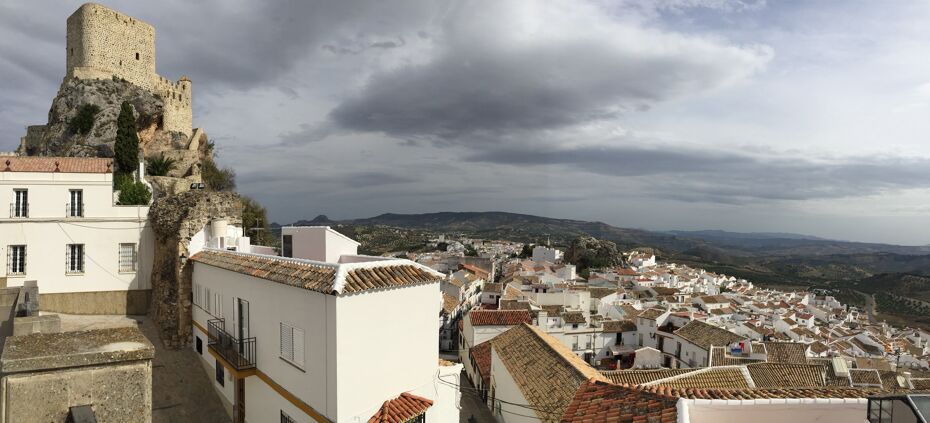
column 546, row 371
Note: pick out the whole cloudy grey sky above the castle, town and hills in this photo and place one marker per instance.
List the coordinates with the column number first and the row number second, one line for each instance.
column 796, row 116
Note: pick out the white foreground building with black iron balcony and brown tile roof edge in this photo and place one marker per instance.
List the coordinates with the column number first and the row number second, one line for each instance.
column 344, row 341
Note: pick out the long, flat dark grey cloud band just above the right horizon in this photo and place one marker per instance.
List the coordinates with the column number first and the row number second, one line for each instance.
column 729, row 177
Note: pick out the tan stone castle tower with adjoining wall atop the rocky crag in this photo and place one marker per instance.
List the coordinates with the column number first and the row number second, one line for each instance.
column 103, row 43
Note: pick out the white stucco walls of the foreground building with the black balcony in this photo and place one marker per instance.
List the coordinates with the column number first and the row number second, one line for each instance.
column 360, row 350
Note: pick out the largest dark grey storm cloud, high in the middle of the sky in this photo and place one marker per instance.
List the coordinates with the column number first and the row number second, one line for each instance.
column 487, row 80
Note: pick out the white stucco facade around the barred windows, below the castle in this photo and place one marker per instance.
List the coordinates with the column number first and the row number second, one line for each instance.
column 48, row 230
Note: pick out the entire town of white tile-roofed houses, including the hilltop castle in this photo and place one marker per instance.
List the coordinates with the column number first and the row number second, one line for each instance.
column 312, row 331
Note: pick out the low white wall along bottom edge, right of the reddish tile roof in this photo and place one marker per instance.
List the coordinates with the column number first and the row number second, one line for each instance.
column 819, row 410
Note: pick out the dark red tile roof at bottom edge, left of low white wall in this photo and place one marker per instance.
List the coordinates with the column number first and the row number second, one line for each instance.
column 603, row 402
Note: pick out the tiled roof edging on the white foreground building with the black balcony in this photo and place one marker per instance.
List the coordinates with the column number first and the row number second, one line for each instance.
column 321, row 277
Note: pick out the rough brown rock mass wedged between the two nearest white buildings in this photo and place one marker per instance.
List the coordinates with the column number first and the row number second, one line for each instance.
column 175, row 220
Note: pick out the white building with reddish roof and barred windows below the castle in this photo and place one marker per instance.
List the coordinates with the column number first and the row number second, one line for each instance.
column 63, row 229
